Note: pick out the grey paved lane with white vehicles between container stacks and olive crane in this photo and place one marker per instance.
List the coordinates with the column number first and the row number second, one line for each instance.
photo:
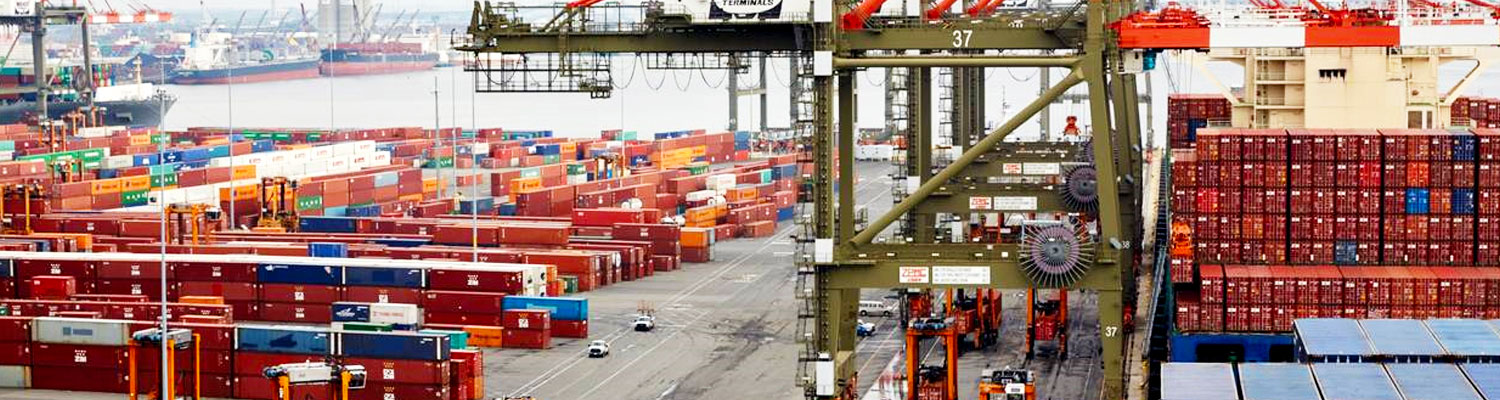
column 725, row 329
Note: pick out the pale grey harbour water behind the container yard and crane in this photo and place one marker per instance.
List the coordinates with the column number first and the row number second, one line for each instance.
column 650, row 101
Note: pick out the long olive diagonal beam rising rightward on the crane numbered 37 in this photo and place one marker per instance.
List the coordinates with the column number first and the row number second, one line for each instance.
column 929, row 187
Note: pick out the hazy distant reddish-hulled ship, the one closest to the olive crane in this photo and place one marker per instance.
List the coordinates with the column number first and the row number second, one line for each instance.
column 371, row 59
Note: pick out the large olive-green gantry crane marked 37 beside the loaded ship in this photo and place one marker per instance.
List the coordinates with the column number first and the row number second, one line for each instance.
column 829, row 46
